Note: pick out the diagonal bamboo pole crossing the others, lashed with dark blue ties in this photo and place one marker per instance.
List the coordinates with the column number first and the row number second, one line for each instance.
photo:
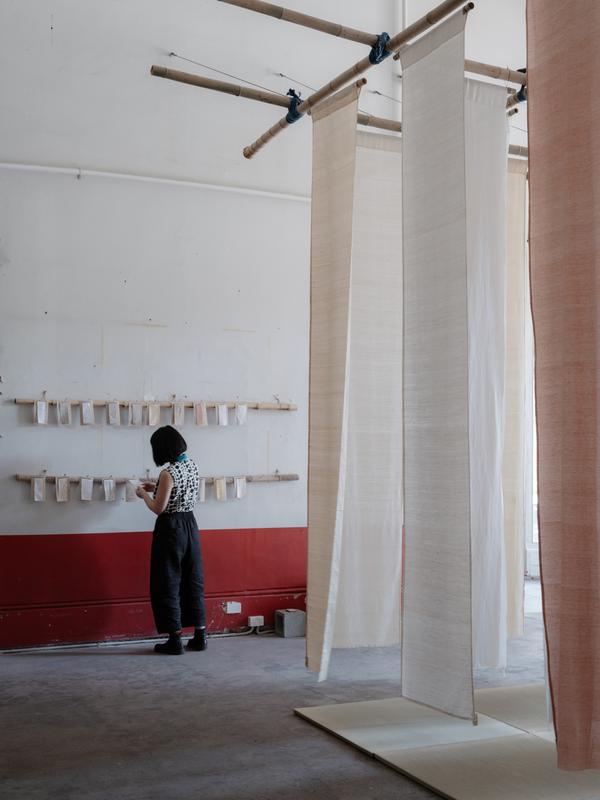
column 418, row 27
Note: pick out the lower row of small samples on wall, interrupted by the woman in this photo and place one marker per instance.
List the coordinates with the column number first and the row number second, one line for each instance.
column 109, row 488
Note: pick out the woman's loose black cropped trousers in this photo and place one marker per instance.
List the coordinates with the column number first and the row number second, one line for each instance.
column 176, row 573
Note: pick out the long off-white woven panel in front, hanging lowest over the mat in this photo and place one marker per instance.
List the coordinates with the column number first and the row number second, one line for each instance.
column 436, row 609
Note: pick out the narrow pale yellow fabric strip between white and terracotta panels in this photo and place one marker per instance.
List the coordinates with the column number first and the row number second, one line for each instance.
column 517, row 466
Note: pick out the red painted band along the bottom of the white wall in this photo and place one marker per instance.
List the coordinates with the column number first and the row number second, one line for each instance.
column 73, row 588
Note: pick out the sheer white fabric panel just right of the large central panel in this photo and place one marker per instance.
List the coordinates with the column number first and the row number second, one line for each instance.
column 486, row 147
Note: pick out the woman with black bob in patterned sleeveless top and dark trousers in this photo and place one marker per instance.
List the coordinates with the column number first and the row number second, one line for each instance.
column 176, row 574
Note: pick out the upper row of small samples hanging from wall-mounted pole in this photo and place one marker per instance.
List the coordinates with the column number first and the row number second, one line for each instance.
column 142, row 413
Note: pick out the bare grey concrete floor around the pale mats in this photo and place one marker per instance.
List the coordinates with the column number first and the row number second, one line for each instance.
column 119, row 723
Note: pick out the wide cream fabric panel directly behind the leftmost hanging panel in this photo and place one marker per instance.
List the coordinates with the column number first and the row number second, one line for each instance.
column 368, row 601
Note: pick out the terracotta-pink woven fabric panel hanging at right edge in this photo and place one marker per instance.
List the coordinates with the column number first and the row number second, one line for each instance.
column 564, row 184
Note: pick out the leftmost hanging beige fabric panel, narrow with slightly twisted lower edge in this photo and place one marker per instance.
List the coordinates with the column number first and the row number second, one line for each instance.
column 334, row 148
